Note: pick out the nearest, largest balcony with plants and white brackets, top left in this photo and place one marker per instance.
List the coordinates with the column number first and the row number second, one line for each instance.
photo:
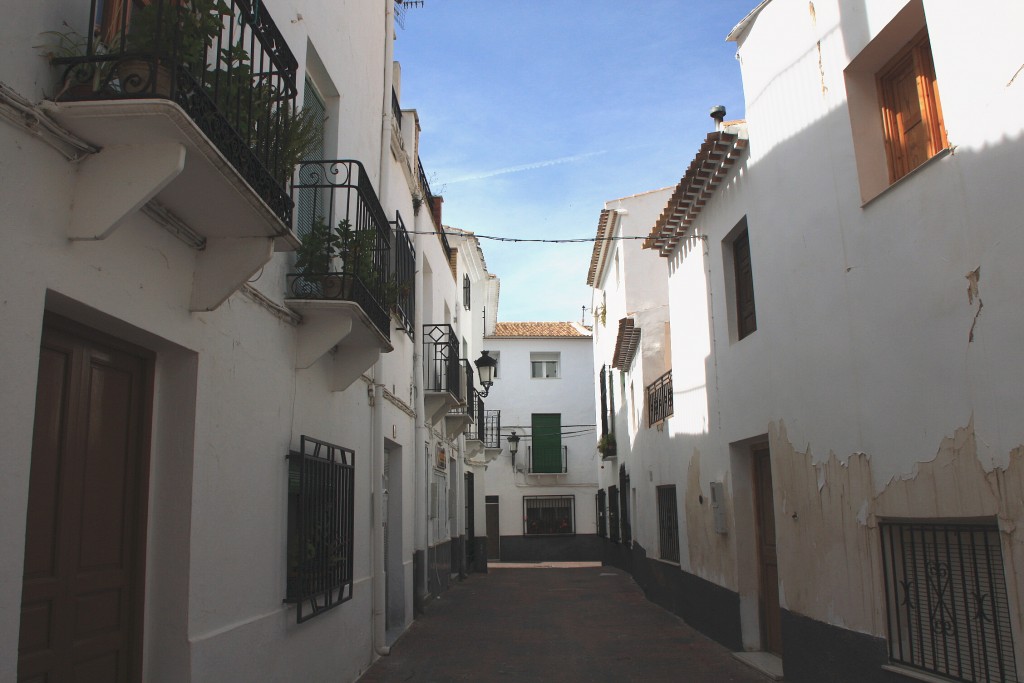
column 193, row 106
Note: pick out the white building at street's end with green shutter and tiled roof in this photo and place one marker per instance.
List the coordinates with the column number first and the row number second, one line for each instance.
column 541, row 500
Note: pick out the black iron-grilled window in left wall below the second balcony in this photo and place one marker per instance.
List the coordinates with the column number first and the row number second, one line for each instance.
column 321, row 510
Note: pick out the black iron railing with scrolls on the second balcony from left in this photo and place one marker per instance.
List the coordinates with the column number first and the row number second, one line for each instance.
column 347, row 241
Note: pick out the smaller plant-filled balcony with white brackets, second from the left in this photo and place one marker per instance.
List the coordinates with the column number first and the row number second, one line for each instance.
column 345, row 286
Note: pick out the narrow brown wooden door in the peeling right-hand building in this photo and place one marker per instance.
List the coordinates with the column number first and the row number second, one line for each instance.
column 772, row 623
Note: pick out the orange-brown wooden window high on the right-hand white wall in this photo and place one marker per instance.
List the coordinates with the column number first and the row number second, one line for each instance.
column 912, row 114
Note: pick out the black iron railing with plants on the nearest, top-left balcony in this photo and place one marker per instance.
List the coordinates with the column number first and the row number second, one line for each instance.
column 224, row 62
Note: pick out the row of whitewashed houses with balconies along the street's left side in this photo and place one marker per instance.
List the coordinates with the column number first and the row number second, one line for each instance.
column 225, row 457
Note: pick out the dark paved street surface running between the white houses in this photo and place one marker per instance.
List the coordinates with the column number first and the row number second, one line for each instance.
column 558, row 625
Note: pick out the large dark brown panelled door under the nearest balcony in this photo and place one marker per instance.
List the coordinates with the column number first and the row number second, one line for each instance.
column 82, row 591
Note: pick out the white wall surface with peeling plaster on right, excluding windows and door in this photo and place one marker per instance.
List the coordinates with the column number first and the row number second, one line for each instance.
column 885, row 369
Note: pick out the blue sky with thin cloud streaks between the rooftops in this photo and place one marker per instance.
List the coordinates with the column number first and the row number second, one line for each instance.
column 537, row 112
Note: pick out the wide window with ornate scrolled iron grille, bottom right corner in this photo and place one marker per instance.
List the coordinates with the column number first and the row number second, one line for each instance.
column 947, row 601
